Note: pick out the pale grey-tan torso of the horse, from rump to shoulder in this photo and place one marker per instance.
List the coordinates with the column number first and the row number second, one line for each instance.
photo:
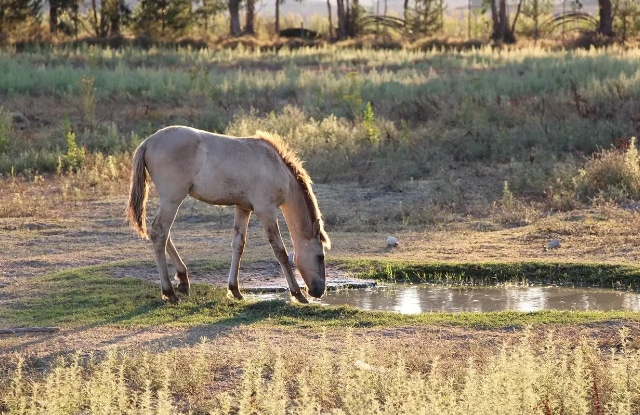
column 215, row 168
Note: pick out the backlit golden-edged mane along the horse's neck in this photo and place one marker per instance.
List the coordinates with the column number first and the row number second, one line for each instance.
column 292, row 161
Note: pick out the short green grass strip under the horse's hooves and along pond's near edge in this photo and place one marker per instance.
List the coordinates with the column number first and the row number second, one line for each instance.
column 90, row 296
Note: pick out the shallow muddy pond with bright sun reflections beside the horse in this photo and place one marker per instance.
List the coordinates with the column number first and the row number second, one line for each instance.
column 422, row 298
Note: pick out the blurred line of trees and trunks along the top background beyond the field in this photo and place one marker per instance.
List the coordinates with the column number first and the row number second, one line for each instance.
column 37, row 20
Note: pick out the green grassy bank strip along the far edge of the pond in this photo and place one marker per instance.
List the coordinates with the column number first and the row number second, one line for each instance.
column 616, row 276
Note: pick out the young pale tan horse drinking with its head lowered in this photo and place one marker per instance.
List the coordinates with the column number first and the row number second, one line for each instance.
column 255, row 174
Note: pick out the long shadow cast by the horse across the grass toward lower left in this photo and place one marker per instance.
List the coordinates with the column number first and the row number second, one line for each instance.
column 238, row 313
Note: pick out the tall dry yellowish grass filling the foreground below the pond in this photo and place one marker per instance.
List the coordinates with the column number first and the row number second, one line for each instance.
column 393, row 371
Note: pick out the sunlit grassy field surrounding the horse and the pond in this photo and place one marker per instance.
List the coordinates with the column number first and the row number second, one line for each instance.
column 475, row 159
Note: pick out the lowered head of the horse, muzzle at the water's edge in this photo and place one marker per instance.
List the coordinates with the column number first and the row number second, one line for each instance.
column 309, row 259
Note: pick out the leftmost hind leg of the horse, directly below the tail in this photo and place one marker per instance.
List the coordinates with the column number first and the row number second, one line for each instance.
column 159, row 235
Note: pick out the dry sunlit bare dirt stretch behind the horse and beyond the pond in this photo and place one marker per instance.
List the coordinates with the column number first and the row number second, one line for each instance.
column 67, row 233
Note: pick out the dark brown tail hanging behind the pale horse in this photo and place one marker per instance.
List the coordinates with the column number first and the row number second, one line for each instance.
column 138, row 193
